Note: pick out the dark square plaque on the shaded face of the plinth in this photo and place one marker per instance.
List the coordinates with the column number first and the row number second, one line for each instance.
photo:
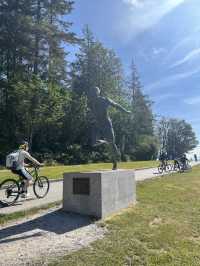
column 81, row 186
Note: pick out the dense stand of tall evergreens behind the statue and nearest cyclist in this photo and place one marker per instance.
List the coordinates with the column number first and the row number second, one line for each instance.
column 44, row 98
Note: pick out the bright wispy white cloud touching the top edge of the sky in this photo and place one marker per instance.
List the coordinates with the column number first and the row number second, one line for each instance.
column 143, row 14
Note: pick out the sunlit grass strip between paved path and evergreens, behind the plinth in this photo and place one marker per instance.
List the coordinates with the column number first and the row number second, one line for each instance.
column 57, row 171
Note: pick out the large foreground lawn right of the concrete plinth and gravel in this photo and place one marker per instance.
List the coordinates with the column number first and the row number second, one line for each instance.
column 162, row 229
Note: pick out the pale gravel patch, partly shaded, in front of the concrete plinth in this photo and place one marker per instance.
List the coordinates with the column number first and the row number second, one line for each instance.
column 46, row 236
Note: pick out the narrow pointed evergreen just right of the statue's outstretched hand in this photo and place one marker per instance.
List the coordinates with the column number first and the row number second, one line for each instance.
column 140, row 142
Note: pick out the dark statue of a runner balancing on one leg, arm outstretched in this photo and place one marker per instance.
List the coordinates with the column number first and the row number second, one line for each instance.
column 103, row 132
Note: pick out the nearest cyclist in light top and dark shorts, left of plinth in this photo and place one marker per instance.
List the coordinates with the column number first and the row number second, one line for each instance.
column 21, row 170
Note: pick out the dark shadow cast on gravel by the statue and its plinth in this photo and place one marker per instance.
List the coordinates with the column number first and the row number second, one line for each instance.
column 58, row 222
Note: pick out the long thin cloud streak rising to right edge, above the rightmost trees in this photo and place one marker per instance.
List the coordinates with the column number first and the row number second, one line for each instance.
column 165, row 82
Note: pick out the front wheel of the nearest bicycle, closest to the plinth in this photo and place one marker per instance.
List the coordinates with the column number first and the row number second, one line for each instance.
column 41, row 186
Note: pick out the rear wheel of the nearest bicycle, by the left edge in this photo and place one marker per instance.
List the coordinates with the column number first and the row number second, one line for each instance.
column 9, row 192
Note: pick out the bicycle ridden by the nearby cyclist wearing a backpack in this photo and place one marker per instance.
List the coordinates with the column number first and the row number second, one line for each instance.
column 11, row 189
